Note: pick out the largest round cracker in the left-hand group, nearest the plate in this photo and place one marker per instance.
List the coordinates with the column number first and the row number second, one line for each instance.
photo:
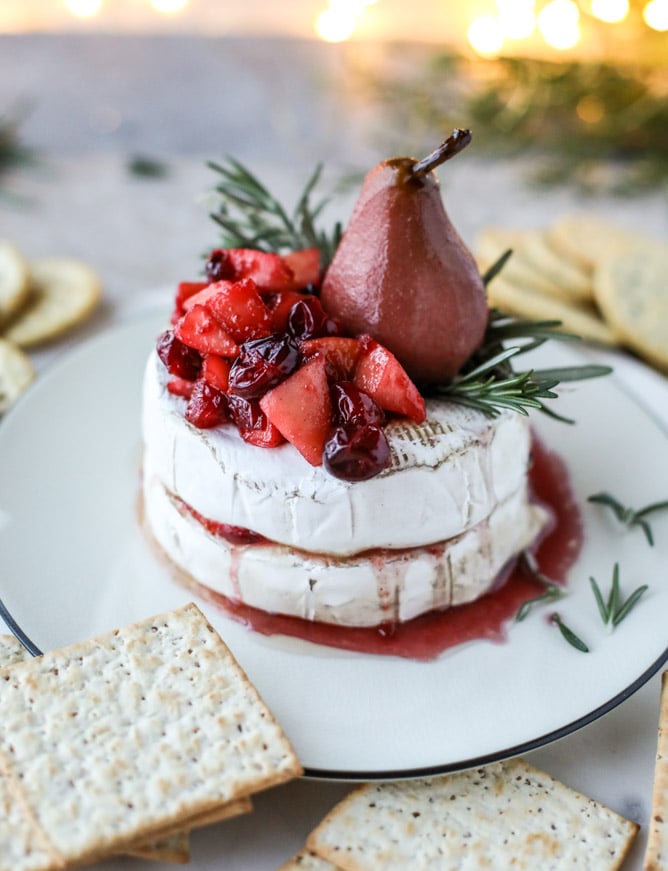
column 64, row 292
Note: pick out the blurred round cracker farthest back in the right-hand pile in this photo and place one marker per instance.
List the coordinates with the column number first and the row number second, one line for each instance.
column 588, row 239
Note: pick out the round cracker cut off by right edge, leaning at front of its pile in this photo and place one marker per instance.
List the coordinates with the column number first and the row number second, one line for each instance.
column 632, row 293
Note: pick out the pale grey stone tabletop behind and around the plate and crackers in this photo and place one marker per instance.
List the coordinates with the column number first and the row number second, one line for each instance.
column 96, row 102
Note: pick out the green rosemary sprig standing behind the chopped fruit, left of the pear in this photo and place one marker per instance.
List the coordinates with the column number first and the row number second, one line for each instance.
column 251, row 217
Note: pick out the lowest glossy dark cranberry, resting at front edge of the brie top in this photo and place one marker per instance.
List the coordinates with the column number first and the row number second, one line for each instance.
column 356, row 453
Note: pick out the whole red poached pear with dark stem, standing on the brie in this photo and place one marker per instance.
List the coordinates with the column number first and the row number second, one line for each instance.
column 403, row 274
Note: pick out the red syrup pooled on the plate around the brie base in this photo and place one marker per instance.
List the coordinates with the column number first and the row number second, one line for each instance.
column 425, row 637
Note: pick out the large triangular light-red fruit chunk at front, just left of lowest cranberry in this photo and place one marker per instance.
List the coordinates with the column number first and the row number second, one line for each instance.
column 301, row 409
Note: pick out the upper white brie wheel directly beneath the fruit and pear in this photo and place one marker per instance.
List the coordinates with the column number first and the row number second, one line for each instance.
column 447, row 476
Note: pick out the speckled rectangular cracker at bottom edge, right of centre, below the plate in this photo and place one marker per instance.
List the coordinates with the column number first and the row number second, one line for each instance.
column 508, row 814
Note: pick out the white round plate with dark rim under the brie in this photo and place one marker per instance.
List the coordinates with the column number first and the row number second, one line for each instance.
column 75, row 564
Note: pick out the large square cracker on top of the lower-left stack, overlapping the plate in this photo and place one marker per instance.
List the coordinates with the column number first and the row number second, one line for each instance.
column 134, row 733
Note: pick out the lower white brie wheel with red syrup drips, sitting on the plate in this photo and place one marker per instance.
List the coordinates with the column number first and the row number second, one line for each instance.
column 363, row 590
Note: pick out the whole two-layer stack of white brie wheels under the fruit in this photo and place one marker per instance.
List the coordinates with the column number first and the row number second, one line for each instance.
column 432, row 531
